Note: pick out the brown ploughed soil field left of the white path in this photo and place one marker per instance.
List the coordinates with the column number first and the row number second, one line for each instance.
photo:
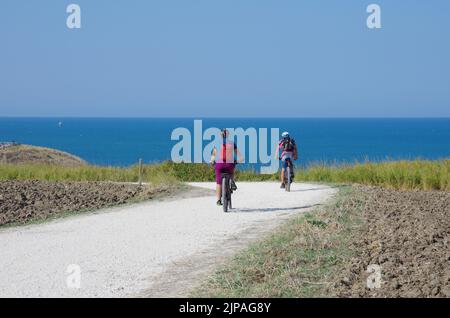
column 22, row 201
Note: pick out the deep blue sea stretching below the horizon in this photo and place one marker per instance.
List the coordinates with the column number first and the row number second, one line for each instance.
column 122, row 141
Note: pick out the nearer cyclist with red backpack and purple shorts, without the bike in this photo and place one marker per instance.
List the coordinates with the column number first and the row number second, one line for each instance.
column 225, row 163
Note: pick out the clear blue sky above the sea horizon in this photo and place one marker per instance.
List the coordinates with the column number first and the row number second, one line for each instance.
column 225, row 57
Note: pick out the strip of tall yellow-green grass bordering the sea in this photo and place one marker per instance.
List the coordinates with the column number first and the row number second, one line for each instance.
column 414, row 174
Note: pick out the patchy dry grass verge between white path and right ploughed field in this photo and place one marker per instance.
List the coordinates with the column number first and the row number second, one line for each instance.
column 296, row 261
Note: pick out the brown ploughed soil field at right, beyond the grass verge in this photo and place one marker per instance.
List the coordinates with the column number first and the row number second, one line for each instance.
column 407, row 234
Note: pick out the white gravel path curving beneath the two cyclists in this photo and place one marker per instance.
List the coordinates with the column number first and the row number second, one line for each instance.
column 145, row 249
